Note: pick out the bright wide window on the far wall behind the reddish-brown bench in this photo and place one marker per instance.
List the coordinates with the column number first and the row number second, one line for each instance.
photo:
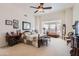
column 52, row 26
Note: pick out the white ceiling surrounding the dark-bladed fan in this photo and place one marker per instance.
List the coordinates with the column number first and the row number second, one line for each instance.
column 55, row 6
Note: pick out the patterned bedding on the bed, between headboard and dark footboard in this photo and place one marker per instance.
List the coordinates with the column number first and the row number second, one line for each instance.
column 30, row 39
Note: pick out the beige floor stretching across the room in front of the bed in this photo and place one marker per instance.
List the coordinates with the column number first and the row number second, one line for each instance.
column 56, row 47
